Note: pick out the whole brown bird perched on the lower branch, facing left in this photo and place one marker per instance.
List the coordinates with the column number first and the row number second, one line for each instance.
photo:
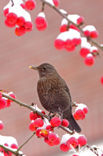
column 54, row 94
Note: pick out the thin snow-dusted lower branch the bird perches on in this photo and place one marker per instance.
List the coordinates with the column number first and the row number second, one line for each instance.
column 34, row 110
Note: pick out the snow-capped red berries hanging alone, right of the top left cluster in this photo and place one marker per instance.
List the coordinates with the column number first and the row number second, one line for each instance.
column 40, row 21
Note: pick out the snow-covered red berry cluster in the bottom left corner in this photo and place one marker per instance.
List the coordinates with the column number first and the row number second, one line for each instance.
column 9, row 142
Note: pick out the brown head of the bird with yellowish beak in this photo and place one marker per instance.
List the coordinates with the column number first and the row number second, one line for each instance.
column 44, row 69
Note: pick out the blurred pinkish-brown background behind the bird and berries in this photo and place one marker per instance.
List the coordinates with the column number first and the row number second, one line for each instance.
column 17, row 53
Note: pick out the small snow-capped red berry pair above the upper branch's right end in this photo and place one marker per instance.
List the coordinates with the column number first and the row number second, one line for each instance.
column 90, row 31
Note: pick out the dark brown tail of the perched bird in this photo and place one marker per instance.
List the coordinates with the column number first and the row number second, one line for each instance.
column 73, row 124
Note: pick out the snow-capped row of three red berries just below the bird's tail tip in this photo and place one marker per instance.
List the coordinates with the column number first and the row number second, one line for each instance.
column 74, row 141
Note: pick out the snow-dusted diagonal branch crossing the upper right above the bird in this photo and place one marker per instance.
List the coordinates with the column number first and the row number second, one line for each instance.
column 78, row 26
